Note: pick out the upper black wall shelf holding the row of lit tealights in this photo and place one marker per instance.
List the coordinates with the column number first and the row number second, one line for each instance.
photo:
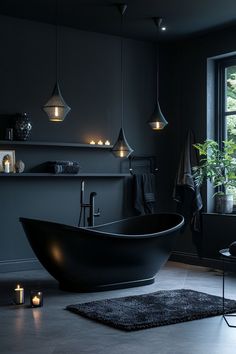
column 53, row 144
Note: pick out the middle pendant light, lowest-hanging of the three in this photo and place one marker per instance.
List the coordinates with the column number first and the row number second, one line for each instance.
column 121, row 148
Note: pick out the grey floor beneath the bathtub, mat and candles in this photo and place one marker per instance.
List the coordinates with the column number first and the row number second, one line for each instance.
column 52, row 330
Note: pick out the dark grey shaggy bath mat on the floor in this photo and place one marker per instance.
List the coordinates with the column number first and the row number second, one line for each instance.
column 153, row 310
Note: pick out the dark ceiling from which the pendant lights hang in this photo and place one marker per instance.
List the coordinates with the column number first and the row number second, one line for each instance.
column 183, row 18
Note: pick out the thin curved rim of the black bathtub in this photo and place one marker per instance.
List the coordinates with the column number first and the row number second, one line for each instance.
column 92, row 229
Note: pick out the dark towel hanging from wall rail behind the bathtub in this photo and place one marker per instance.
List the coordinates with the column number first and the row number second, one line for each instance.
column 144, row 193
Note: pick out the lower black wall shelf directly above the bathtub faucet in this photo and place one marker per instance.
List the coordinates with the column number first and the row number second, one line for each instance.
column 64, row 175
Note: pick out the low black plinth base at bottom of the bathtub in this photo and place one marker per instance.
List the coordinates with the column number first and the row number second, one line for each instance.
column 113, row 286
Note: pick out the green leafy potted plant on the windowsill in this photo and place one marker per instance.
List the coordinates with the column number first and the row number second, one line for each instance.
column 219, row 167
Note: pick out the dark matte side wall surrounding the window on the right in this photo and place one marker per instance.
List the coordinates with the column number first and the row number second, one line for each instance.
column 187, row 93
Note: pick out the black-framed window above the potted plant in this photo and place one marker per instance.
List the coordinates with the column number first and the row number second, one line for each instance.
column 226, row 99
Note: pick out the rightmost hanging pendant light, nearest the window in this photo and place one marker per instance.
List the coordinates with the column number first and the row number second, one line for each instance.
column 157, row 120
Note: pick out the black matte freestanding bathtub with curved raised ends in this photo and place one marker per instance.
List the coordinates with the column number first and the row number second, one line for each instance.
column 119, row 254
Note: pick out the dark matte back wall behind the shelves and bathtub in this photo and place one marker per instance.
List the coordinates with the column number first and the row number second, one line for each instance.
column 90, row 78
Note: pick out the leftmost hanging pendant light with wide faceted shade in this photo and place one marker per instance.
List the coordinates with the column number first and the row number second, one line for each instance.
column 56, row 108
